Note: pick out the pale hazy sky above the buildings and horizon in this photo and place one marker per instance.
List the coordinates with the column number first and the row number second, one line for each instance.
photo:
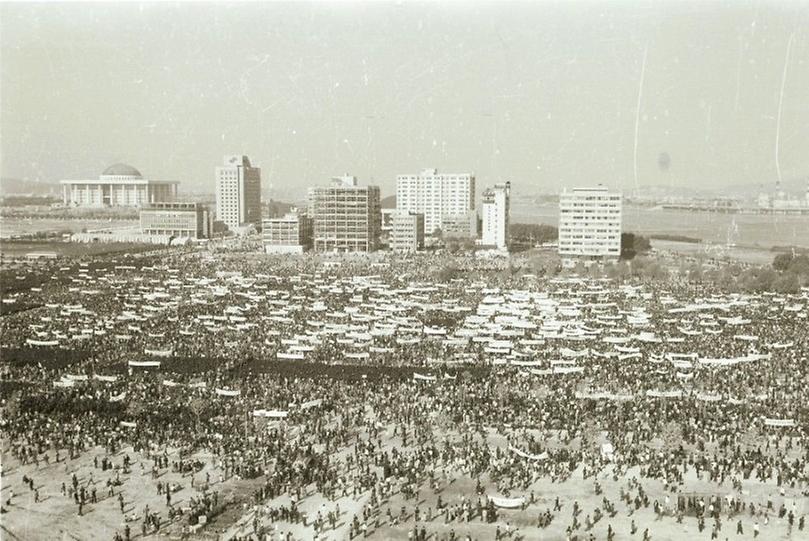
column 542, row 94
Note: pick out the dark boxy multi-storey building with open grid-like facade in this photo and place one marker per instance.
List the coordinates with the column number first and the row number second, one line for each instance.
column 347, row 217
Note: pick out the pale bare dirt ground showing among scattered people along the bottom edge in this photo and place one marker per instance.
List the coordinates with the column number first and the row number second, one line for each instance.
column 55, row 516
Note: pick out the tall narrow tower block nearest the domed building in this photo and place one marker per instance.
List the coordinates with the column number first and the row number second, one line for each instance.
column 238, row 192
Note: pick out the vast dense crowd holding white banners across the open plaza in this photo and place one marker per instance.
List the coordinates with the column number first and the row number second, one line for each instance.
column 665, row 397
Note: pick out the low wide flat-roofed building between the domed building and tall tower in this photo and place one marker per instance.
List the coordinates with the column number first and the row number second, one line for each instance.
column 190, row 220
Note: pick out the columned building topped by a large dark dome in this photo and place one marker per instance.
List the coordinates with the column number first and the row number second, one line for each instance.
column 119, row 185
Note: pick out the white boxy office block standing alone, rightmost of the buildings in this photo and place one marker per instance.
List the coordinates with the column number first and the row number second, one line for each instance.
column 590, row 223
